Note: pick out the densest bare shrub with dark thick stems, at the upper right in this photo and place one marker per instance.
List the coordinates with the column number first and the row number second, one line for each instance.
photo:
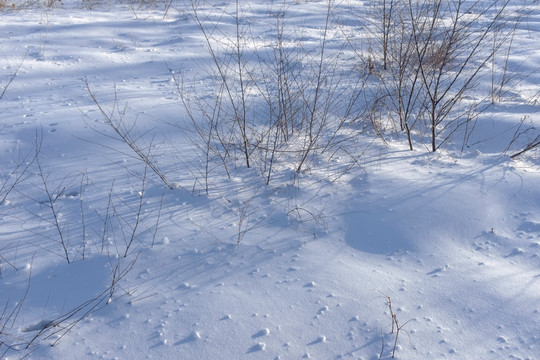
column 437, row 56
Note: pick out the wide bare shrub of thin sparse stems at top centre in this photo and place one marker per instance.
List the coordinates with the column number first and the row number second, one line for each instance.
column 276, row 102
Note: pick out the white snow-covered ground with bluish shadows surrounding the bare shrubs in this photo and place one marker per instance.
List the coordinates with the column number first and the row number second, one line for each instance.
column 105, row 262
